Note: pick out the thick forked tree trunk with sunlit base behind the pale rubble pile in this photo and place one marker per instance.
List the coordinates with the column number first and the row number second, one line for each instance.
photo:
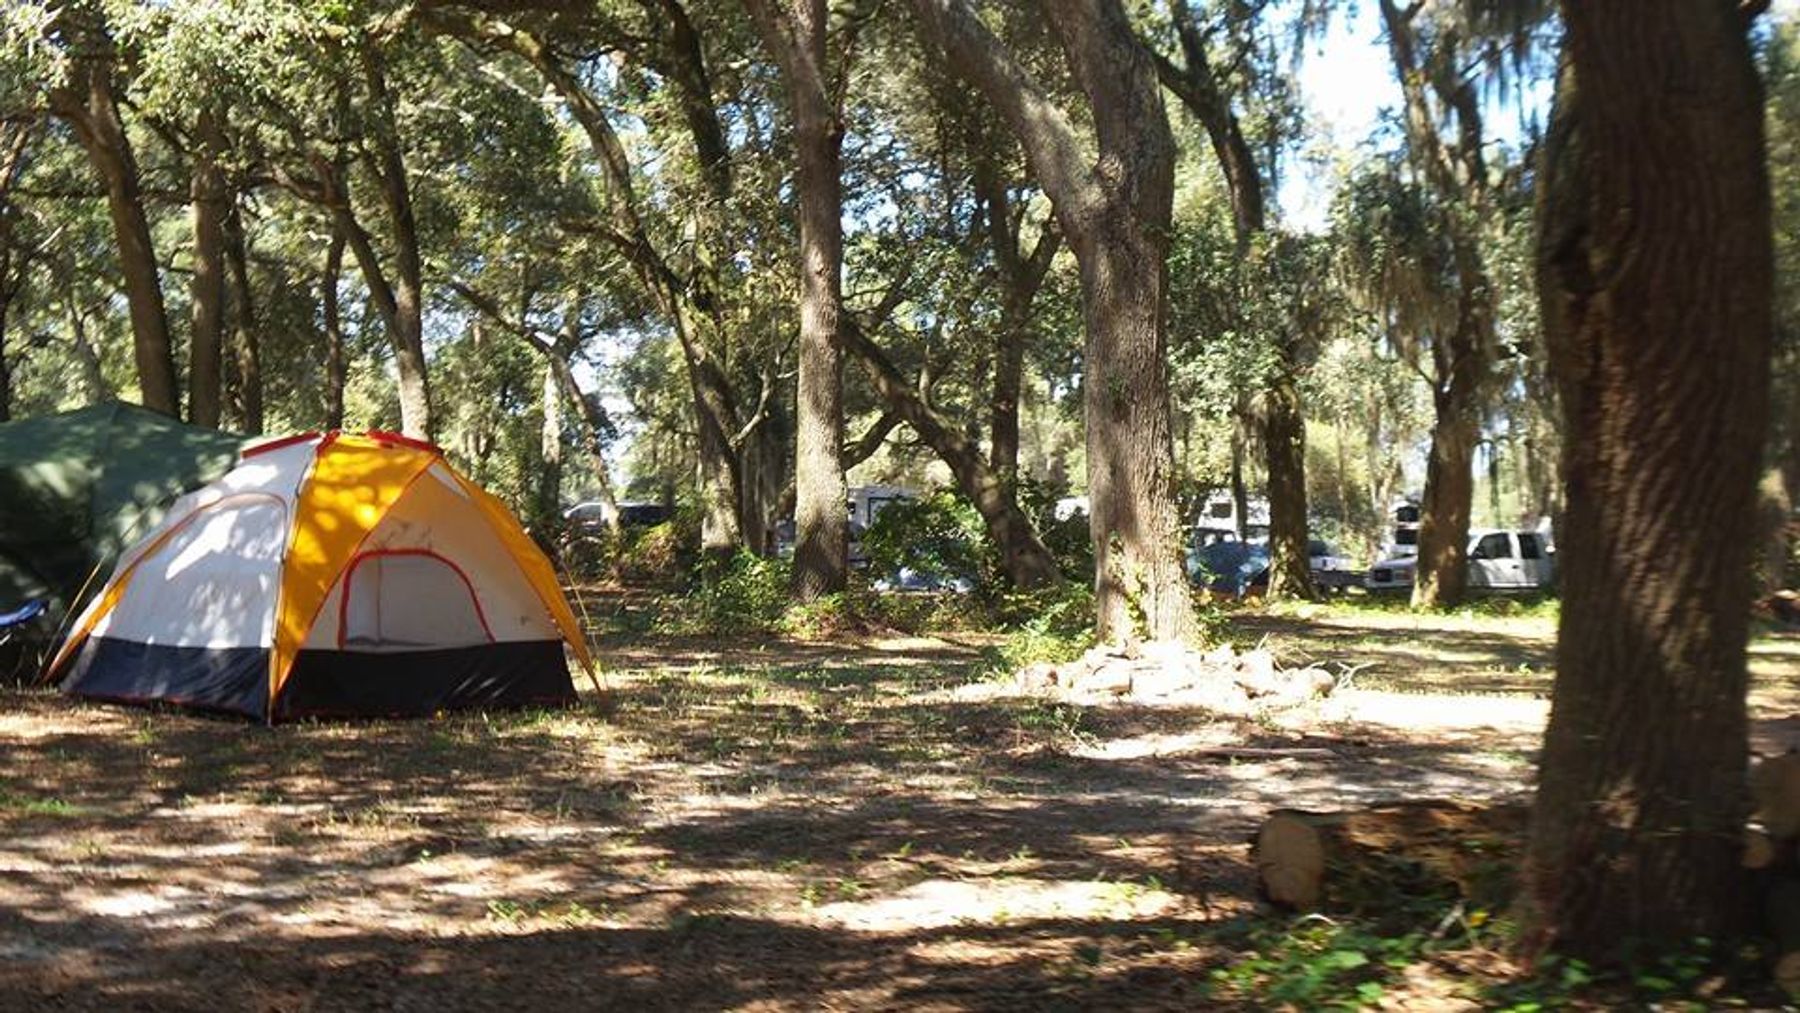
column 1115, row 217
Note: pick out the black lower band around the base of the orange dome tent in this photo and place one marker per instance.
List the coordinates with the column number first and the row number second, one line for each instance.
column 327, row 685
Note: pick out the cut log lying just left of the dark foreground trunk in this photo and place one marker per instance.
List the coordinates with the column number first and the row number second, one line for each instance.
column 1365, row 859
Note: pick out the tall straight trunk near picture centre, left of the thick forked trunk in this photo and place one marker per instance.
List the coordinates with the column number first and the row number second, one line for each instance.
column 795, row 33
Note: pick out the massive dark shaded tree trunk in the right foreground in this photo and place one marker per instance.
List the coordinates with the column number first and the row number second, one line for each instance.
column 1655, row 276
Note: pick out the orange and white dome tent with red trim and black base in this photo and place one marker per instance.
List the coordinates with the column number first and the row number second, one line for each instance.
column 330, row 575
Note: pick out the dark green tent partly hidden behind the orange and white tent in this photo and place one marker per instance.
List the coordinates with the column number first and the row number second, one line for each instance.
column 80, row 487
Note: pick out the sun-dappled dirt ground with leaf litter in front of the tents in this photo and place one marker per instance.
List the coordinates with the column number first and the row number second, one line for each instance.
column 750, row 825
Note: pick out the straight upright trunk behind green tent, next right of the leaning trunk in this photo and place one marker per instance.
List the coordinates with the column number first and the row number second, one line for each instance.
column 208, row 292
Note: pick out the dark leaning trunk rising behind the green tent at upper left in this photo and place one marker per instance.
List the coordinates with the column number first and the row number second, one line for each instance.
column 93, row 111
